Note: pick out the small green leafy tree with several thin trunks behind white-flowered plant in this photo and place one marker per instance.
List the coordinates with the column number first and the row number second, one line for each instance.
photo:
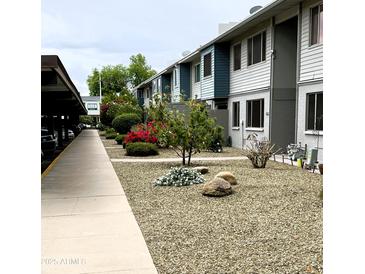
column 189, row 134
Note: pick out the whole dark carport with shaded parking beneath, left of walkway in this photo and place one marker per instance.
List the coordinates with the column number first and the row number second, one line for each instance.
column 61, row 101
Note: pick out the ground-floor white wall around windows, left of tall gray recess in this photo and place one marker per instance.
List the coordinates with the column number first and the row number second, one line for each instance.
column 238, row 134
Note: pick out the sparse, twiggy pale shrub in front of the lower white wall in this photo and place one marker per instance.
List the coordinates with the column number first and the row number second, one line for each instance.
column 259, row 152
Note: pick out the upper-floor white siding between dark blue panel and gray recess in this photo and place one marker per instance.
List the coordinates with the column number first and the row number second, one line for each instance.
column 252, row 77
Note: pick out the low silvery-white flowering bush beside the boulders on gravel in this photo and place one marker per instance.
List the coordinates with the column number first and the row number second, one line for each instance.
column 179, row 176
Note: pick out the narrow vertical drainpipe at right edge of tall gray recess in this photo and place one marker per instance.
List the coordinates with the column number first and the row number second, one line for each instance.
column 299, row 46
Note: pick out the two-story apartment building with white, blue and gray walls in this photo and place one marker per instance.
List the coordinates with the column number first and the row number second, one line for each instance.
column 266, row 70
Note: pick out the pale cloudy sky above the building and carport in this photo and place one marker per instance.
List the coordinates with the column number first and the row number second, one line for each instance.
column 89, row 34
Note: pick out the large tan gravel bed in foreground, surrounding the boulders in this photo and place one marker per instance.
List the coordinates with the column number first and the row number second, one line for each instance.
column 272, row 223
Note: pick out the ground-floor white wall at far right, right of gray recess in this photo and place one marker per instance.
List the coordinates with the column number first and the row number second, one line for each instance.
column 307, row 137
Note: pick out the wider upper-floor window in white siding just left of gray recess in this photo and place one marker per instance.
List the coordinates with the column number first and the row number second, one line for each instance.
column 256, row 48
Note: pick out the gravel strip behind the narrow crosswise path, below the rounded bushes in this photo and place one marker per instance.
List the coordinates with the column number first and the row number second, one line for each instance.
column 116, row 151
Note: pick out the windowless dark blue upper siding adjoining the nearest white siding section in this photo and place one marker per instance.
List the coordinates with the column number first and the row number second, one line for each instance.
column 221, row 71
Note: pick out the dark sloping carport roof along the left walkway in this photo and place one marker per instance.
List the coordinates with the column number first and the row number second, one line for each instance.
column 59, row 94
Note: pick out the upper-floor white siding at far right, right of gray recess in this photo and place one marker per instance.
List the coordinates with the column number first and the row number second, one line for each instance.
column 311, row 61
